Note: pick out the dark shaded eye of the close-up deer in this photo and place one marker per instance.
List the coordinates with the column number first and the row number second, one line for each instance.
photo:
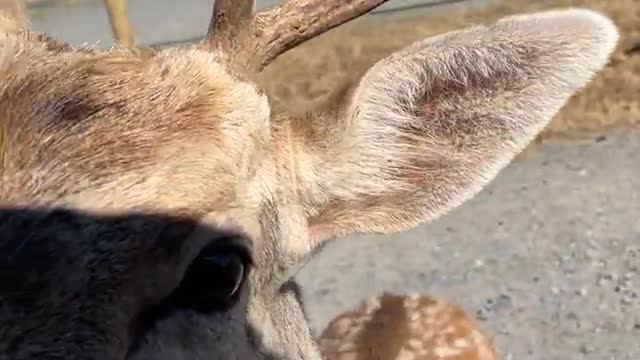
column 214, row 280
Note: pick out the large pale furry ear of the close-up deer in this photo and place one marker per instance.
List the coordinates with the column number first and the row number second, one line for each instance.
column 429, row 126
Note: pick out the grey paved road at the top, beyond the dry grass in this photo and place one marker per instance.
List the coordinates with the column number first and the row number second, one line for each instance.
column 154, row 21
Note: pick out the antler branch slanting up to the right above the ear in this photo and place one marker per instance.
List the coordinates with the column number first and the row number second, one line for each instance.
column 293, row 22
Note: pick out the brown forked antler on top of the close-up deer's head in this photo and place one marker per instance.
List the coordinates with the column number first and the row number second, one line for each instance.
column 257, row 40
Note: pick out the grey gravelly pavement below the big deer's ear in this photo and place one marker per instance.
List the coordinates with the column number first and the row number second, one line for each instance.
column 548, row 256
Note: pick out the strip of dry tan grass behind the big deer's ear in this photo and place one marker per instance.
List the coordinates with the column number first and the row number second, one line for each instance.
column 314, row 70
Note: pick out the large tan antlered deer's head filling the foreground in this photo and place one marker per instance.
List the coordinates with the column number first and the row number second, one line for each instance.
column 153, row 205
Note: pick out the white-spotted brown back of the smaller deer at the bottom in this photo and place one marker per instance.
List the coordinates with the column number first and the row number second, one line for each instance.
column 405, row 326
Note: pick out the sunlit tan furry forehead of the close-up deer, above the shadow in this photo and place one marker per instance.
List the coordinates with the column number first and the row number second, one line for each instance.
column 117, row 130
